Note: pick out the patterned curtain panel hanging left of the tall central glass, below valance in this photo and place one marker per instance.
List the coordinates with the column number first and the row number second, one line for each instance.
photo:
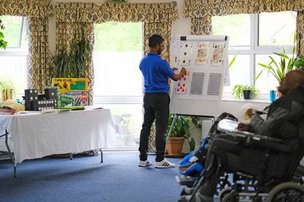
column 68, row 32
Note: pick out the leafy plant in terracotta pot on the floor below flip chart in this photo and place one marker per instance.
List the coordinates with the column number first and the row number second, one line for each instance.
column 180, row 131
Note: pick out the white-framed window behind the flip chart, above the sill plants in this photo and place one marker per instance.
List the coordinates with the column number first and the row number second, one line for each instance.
column 252, row 38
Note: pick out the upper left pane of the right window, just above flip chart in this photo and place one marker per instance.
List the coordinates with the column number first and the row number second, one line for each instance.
column 237, row 27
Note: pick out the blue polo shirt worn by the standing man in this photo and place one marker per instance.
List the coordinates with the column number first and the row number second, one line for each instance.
column 156, row 72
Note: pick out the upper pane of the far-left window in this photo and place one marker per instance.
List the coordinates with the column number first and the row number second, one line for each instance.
column 12, row 31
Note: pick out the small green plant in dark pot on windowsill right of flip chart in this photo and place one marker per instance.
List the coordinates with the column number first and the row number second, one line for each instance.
column 245, row 91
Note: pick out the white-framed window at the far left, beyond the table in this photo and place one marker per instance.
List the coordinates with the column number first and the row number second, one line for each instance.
column 13, row 59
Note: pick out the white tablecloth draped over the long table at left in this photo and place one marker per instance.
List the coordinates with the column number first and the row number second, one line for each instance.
column 42, row 134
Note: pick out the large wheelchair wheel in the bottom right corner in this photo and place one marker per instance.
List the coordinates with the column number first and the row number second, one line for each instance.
column 288, row 192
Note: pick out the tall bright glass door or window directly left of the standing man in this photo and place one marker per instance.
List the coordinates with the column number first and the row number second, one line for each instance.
column 118, row 80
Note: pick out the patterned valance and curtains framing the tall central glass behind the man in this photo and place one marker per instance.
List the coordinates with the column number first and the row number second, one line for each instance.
column 157, row 18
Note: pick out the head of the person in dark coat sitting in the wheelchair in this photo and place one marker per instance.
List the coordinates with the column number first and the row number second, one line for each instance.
column 292, row 80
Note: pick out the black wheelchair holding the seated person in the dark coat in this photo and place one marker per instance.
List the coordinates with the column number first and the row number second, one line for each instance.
column 263, row 169
